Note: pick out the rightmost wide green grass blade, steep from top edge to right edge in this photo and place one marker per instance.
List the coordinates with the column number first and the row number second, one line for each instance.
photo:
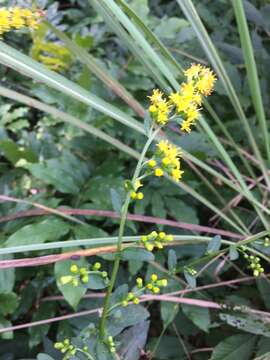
column 252, row 74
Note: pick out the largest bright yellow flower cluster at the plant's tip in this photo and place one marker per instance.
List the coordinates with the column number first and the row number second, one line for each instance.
column 187, row 101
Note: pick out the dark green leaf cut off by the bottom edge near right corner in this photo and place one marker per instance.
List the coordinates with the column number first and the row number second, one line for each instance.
column 235, row 347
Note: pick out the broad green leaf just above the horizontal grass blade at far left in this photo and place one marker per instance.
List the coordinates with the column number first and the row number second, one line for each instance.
column 47, row 230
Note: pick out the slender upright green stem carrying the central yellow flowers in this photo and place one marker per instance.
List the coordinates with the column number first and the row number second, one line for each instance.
column 120, row 235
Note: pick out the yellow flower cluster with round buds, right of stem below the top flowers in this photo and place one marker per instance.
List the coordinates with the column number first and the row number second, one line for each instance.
column 166, row 160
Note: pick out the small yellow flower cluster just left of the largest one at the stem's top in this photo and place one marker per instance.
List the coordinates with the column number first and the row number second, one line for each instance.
column 159, row 107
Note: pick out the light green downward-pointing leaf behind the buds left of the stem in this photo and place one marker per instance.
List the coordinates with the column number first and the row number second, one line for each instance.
column 72, row 294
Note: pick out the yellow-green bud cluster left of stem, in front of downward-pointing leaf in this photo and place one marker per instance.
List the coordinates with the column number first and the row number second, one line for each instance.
column 80, row 275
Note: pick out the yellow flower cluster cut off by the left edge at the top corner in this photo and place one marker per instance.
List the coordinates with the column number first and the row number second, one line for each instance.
column 17, row 18
